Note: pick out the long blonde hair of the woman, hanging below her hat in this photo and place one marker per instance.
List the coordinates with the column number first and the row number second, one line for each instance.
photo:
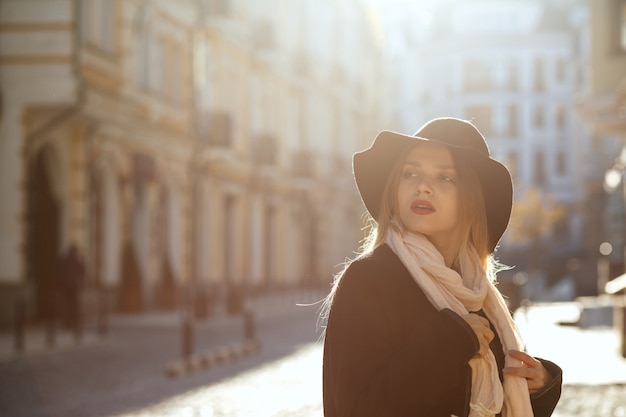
column 473, row 220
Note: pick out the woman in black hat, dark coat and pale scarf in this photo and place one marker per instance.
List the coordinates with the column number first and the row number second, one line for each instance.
column 415, row 324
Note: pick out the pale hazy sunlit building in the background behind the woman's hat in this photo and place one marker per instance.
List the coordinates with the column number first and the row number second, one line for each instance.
column 514, row 68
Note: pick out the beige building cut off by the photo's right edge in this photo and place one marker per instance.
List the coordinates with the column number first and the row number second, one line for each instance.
column 603, row 106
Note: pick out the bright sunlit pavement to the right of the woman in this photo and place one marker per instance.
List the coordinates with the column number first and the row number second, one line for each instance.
column 594, row 374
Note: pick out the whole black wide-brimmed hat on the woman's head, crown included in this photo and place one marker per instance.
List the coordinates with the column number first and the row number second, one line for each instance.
column 373, row 166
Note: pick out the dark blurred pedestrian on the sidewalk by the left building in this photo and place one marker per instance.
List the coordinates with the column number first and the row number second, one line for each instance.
column 71, row 274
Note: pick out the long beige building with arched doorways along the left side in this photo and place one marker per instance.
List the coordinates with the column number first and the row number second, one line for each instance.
column 200, row 142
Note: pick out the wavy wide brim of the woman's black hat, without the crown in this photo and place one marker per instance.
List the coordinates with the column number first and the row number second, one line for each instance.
column 373, row 166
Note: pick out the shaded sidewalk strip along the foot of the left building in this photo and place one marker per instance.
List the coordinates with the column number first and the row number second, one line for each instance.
column 263, row 307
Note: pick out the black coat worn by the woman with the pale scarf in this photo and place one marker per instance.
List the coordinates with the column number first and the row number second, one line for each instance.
column 389, row 352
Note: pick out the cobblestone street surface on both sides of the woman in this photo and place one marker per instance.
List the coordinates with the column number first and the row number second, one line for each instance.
column 124, row 374
